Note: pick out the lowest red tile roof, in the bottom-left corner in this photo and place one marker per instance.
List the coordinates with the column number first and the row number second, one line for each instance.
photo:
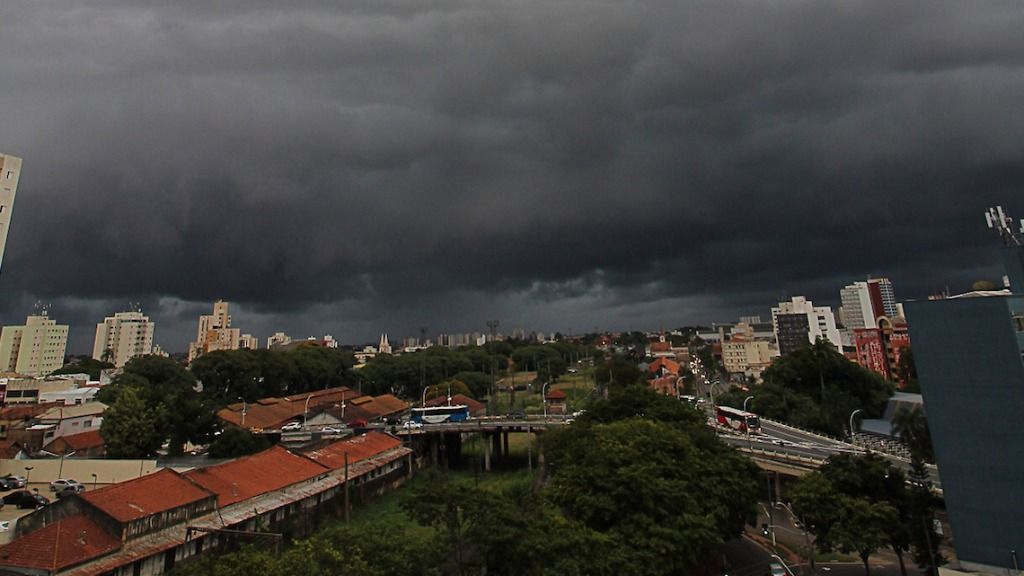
column 59, row 546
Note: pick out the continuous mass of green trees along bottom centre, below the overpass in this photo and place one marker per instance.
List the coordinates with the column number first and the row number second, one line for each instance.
column 638, row 485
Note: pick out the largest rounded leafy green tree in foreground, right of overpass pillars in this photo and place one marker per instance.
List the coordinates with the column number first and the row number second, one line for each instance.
column 663, row 498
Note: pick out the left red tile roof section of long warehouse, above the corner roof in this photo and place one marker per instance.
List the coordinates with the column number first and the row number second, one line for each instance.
column 160, row 491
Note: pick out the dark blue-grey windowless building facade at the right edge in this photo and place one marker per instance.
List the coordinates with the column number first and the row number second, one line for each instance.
column 969, row 353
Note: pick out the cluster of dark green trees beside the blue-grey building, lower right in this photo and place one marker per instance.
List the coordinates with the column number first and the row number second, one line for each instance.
column 859, row 505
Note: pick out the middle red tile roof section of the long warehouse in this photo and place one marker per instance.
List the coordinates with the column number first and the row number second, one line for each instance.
column 266, row 472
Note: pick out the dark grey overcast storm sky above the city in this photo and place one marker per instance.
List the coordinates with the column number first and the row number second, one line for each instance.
column 379, row 166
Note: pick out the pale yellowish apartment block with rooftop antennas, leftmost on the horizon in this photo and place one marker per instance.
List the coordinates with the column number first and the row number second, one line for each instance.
column 35, row 349
